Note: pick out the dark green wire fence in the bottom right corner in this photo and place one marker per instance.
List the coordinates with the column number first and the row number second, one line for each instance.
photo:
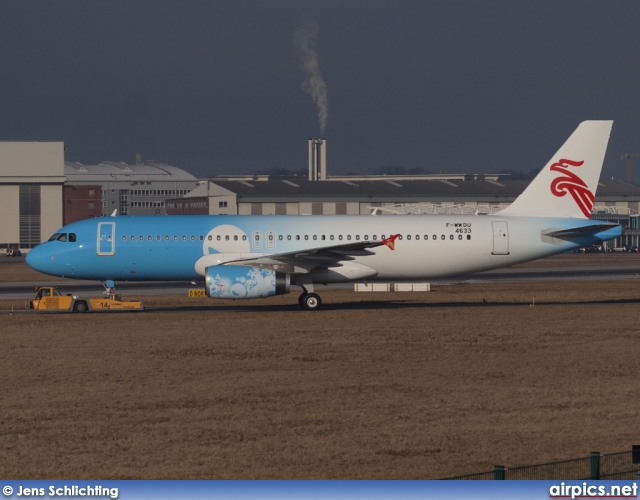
column 619, row 465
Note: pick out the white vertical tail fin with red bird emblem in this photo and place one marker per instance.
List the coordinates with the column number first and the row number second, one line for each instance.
column 566, row 186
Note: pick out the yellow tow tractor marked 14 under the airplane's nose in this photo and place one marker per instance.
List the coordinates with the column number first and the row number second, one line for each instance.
column 48, row 298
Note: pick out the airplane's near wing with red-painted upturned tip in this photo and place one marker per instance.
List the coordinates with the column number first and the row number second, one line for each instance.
column 311, row 258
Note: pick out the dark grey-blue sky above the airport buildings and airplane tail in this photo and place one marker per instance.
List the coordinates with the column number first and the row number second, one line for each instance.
column 215, row 87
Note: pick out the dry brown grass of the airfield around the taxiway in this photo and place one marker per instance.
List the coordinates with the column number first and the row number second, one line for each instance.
column 374, row 385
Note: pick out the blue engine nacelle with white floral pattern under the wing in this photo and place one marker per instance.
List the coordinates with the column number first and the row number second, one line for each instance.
column 244, row 282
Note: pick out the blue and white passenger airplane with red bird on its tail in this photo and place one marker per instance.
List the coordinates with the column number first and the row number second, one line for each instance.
column 247, row 256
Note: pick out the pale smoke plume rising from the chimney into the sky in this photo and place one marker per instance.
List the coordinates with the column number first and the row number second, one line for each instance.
column 304, row 39
